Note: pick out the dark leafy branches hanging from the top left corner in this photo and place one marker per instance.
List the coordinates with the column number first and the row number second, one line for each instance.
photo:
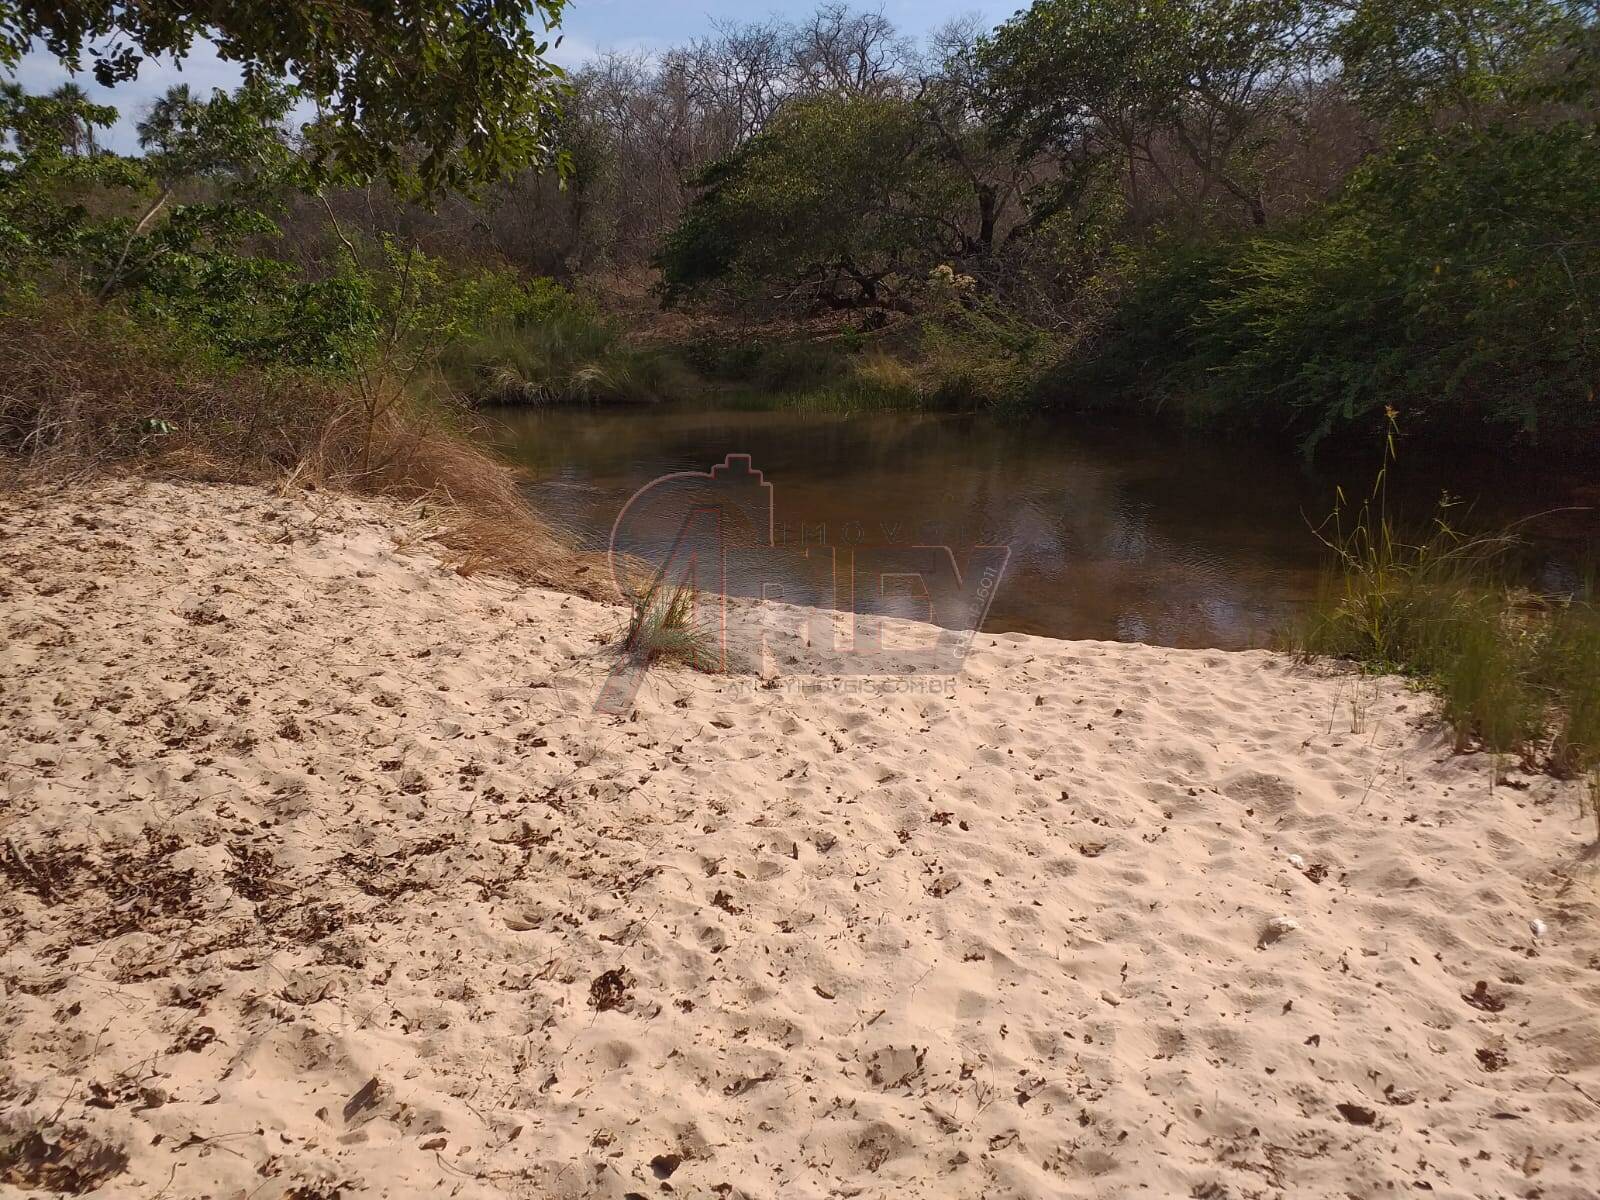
column 436, row 95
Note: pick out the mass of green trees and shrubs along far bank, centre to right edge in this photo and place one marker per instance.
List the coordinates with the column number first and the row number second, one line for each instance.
column 1278, row 217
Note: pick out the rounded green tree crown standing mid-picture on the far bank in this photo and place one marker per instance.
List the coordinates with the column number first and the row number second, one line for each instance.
column 836, row 193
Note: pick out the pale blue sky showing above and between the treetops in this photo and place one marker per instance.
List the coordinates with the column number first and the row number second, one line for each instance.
column 590, row 26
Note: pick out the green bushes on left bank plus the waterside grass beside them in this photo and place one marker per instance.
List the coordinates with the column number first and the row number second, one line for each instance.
column 180, row 234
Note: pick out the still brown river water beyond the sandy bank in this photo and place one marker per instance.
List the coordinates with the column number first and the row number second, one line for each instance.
column 1119, row 535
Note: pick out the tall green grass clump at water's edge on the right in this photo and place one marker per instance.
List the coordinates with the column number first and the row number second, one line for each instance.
column 1516, row 673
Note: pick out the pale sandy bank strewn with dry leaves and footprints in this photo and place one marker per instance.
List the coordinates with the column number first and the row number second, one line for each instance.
column 287, row 812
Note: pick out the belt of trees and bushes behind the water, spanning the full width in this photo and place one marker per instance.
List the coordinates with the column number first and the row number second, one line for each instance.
column 1266, row 215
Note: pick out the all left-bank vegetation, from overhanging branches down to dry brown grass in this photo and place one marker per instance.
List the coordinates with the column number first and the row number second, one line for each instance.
column 156, row 314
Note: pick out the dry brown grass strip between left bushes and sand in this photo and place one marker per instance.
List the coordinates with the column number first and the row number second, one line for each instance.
column 84, row 393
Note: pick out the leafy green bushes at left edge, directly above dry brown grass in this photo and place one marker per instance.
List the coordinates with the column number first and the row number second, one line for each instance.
column 113, row 225
